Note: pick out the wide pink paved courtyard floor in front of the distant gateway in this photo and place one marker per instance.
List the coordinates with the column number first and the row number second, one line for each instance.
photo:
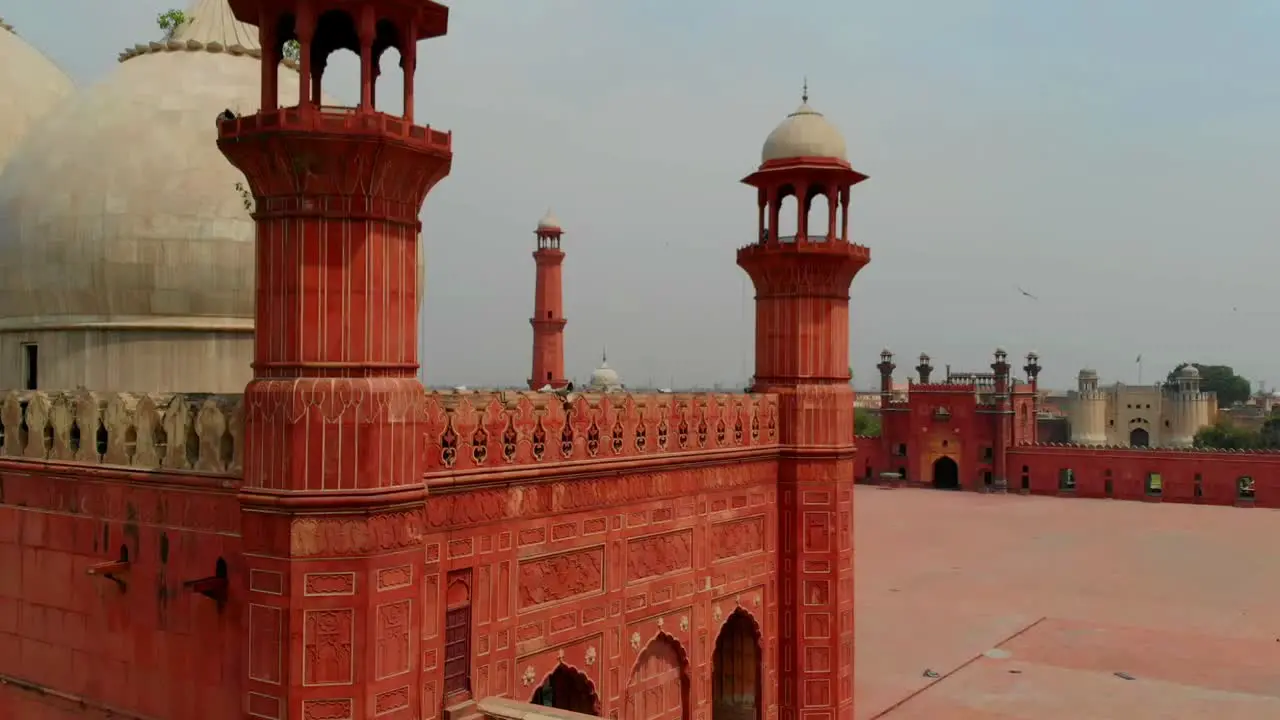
column 1027, row 608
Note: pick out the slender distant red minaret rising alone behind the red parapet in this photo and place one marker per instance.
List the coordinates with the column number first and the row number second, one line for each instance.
column 548, row 318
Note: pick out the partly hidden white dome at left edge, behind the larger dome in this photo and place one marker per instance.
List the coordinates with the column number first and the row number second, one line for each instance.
column 30, row 88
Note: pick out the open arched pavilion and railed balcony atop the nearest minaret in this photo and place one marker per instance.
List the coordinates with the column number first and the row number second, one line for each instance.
column 317, row 29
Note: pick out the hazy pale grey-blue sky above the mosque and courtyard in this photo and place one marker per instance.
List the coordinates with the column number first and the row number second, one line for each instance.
column 1117, row 158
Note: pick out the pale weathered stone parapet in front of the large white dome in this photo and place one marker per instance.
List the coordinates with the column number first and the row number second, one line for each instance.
column 195, row 432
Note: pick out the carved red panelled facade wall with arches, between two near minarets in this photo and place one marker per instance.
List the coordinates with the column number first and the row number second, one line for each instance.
column 591, row 571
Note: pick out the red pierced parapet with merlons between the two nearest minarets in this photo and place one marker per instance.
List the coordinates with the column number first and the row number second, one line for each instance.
column 497, row 430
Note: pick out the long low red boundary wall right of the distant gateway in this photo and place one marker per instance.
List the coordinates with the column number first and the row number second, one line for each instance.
column 1178, row 471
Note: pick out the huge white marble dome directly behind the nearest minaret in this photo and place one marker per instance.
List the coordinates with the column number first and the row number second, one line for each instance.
column 126, row 248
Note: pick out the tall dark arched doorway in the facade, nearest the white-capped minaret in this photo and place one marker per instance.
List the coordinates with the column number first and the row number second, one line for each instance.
column 737, row 671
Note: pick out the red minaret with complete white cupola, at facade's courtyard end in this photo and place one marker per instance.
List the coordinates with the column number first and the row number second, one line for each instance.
column 802, row 356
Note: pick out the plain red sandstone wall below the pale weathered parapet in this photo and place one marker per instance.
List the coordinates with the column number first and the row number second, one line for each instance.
column 152, row 650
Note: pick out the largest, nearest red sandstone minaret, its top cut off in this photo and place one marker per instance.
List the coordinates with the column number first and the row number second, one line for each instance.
column 332, row 496
